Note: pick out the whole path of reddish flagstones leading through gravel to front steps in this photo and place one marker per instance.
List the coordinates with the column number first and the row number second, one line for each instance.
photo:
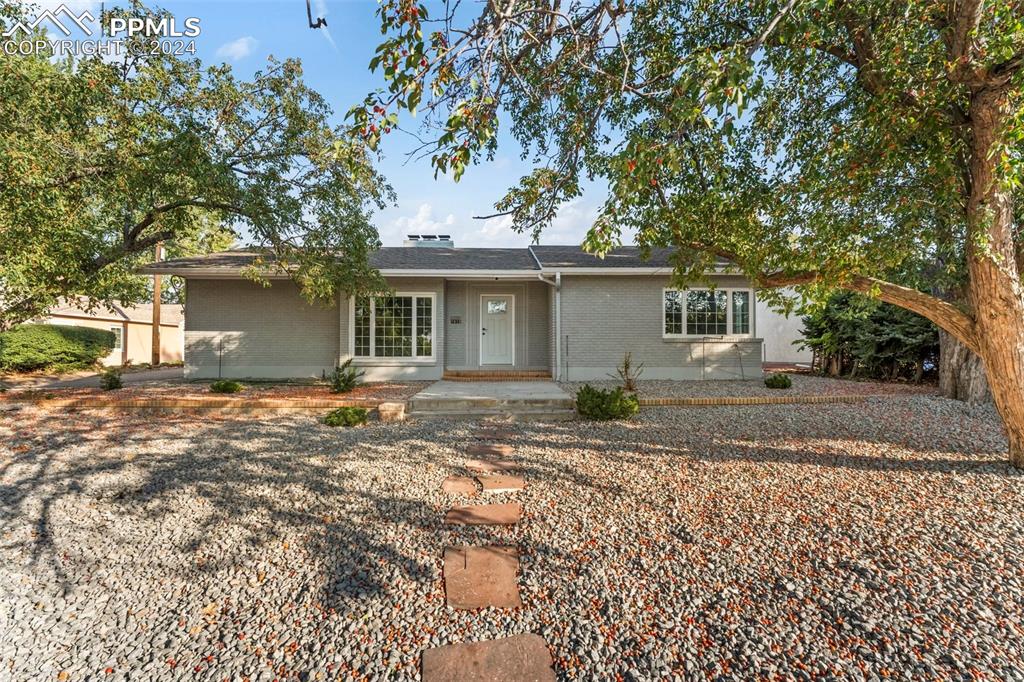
column 487, row 577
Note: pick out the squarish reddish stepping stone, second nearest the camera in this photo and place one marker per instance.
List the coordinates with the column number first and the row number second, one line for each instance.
column 482, row 577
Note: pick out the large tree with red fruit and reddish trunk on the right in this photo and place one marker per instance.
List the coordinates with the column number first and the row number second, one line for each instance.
column 817, row 144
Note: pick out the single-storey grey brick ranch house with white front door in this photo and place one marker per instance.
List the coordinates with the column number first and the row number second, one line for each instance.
column 544, row 309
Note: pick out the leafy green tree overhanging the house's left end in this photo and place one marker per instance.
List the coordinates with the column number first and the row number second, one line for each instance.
column 102, row 159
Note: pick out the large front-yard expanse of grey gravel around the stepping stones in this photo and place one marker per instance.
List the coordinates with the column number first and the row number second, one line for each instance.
column 875, row 540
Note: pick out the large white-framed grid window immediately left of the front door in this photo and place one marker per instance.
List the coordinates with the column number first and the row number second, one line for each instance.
column 400, row 326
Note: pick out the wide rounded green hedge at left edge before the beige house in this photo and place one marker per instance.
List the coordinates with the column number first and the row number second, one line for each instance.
column 35, row 348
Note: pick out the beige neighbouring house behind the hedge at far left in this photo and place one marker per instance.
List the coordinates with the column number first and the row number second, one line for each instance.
column 133, row 328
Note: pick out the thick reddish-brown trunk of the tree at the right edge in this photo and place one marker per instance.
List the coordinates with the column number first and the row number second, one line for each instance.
column 996, row 289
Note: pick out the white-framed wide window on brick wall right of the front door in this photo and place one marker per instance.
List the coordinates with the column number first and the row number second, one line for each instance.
column 707, row 313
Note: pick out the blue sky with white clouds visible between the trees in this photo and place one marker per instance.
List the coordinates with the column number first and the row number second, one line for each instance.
column 244, row 33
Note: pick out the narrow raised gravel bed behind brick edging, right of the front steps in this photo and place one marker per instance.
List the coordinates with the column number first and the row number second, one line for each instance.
column 803, row 385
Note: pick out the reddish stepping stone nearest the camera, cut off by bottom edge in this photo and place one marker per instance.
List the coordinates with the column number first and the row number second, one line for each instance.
column 520, row 659
